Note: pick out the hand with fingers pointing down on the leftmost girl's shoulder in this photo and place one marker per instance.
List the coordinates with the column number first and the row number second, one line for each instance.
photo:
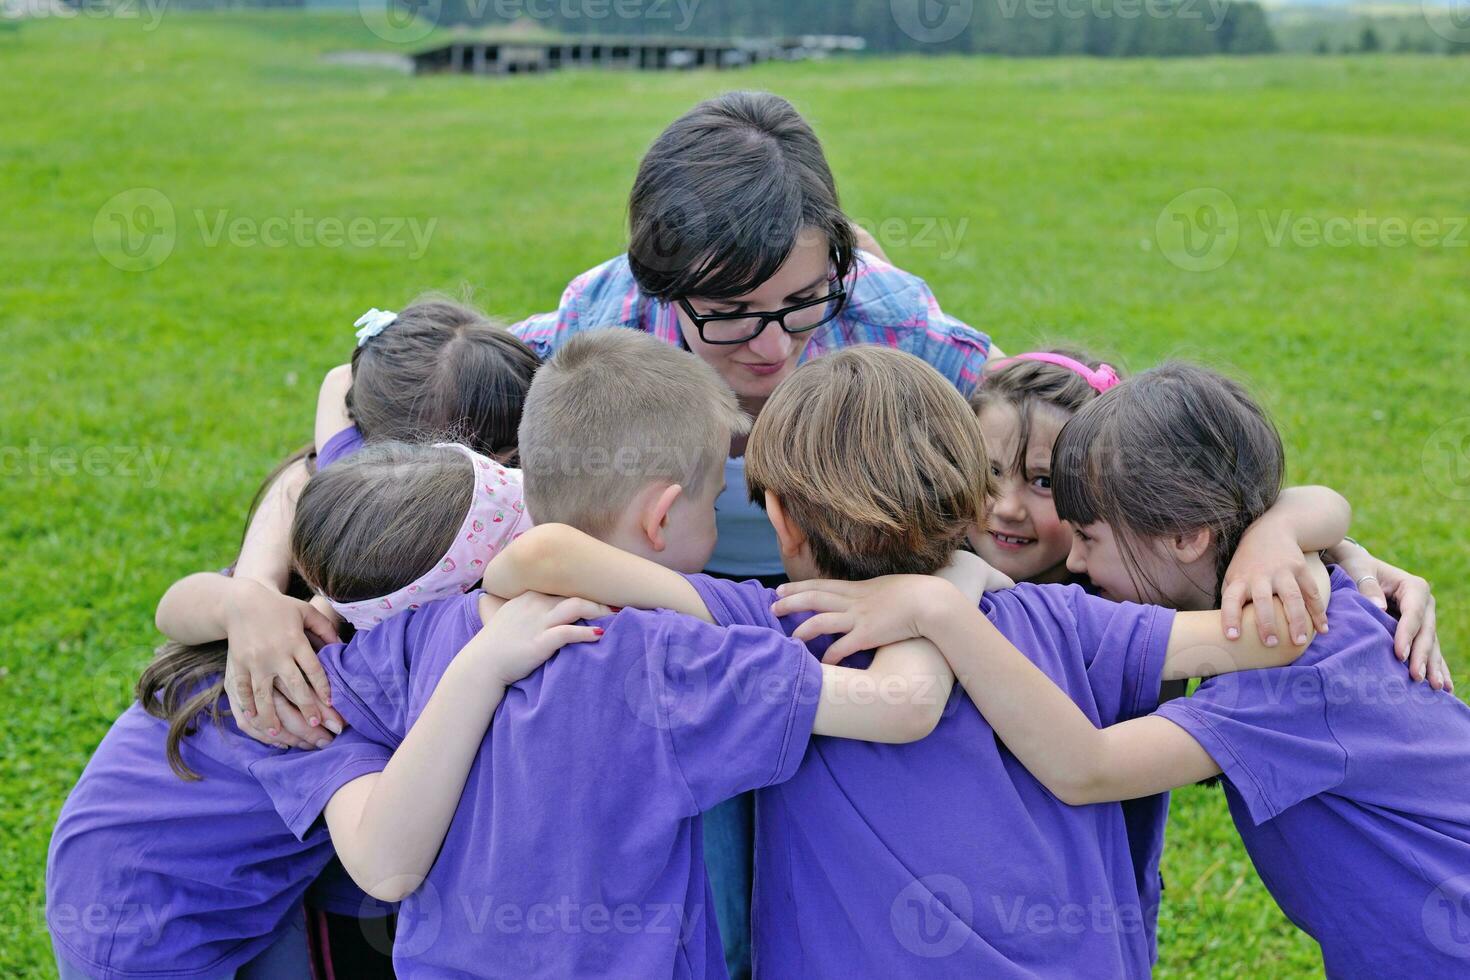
column 271, row 650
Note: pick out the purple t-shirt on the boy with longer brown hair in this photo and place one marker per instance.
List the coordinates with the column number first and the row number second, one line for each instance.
column 946, row 857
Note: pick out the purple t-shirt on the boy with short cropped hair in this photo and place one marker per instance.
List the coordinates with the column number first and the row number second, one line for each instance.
column 577, row 849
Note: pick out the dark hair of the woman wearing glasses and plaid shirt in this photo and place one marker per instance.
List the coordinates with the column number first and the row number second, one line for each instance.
column 724, row 195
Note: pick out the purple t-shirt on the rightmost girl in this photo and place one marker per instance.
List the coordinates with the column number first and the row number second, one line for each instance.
column 1350, row 787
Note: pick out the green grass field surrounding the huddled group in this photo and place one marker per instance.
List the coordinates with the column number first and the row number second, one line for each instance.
column 140, row 408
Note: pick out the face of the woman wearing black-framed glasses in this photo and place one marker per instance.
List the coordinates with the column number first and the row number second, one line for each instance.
column 753, row 370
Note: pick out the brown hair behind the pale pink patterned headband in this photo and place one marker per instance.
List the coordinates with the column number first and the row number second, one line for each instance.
column 380, row 519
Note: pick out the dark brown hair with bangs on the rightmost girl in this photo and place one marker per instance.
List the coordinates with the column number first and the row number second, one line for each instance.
column 1168, row 453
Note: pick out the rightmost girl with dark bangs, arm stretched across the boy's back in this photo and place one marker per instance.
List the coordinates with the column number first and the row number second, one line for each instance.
column 1365, row 846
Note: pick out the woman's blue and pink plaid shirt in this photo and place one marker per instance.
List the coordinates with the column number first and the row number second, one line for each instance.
column 884, row 306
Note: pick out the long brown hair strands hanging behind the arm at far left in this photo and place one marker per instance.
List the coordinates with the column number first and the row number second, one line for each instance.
column 186, row 682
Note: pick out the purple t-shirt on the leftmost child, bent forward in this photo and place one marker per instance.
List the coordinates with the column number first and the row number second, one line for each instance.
column 152, row 876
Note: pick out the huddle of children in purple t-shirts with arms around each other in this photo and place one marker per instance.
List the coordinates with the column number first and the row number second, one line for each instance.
column 539, row 815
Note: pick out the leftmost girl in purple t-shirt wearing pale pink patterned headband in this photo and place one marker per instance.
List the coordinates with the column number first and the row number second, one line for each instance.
column 168, row 857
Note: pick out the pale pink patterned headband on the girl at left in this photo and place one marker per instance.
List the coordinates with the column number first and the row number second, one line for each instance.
column 498, row 516
